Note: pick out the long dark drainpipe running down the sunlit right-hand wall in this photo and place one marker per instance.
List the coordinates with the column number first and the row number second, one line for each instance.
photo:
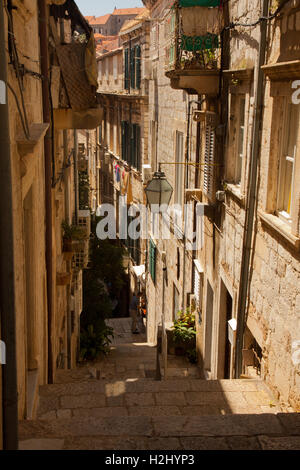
column 251, row 196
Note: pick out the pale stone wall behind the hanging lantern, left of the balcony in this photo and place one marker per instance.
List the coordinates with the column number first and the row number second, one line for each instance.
column 168, row 110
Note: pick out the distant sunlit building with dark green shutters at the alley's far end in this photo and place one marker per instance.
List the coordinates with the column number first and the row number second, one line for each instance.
column 123, row 84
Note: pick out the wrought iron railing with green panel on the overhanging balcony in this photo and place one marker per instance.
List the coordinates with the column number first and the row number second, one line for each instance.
column 184, row 47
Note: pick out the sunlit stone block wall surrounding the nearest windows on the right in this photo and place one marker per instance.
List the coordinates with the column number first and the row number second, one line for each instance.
column 273, row 313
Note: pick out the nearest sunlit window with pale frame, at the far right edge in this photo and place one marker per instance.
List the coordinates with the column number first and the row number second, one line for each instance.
column 287, row 161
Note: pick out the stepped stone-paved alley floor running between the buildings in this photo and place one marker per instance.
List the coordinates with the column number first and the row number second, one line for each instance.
column 118, row 404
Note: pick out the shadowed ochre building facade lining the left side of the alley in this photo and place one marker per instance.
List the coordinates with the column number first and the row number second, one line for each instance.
column 47, row 277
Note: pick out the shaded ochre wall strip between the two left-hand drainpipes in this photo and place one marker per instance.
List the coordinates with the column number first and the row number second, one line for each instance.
column 28, row 181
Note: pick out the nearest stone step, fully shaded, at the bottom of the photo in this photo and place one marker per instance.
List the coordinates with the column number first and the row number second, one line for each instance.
column 137, row 429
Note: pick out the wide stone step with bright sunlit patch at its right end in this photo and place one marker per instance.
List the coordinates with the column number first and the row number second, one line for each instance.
column 186, row 397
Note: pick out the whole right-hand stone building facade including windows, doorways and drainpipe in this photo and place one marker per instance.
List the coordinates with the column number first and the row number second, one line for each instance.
column 259, row 299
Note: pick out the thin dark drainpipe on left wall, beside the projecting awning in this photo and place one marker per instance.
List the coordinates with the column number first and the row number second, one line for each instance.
column 44, row 53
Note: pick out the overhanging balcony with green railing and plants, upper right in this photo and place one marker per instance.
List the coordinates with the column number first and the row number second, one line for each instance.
column 193, row 46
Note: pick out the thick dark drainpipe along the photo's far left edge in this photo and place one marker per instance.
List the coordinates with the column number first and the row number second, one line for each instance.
column 7, row 281
